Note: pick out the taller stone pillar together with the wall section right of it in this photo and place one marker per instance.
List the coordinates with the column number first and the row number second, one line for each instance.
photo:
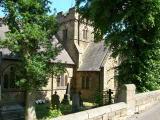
column 137, row 103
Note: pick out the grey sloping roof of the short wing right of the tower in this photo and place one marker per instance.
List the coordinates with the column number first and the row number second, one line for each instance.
column 93, row 57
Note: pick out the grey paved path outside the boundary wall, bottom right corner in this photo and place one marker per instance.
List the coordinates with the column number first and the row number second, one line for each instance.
column 151, row 114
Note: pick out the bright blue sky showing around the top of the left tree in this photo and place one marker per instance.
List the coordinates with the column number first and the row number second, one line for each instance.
column 60, row 5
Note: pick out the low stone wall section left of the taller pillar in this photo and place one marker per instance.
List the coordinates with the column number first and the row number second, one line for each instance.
column 110, row 112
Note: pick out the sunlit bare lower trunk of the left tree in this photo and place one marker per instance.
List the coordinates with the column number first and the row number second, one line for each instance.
column 30, row 113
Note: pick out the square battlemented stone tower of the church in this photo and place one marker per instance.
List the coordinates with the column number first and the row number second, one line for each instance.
column 74, row 34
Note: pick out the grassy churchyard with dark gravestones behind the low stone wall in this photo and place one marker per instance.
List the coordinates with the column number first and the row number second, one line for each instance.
column 69, row 105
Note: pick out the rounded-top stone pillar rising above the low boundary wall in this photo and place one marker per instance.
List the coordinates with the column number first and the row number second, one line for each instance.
column 127, row 95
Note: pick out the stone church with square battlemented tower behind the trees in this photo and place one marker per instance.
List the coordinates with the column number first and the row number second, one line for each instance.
column 89, row 66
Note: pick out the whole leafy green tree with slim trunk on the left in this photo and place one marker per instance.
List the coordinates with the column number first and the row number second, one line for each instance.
column 31, row 31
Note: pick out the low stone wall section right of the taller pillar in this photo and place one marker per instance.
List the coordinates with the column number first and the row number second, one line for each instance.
column 146, row 100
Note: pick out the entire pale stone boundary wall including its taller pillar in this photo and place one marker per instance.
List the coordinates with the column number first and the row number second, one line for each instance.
column 128, row 104
